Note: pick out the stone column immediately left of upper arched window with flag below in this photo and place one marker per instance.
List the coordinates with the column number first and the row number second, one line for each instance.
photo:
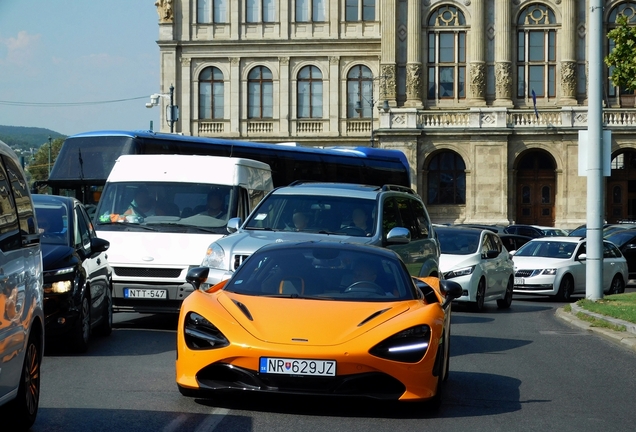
column 503, row 60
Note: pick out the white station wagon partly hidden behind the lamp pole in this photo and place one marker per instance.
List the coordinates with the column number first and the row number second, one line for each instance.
column 555, row 266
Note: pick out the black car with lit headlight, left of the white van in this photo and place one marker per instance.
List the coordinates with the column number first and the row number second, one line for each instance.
column 77, row 276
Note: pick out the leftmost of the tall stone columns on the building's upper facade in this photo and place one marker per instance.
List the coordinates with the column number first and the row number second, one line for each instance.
column 387, row 58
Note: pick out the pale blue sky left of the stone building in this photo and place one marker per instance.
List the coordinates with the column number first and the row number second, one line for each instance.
column 79, row 65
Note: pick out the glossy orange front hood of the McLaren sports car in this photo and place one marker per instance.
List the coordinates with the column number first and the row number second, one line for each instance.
column 317, row 322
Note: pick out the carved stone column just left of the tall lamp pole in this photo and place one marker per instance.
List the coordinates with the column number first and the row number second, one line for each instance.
column 567, row 47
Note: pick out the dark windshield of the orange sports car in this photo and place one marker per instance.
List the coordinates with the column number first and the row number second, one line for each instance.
column 323, row 273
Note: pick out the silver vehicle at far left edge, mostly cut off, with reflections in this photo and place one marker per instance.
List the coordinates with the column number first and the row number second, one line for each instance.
column 21, row 308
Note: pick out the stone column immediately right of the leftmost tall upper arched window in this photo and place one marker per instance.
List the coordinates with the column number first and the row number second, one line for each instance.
column 477, row 71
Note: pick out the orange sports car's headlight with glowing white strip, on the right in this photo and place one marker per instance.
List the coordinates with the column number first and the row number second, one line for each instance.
column 408, row 346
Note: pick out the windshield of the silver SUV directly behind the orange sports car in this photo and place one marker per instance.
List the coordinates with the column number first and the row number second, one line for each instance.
column 312, row 213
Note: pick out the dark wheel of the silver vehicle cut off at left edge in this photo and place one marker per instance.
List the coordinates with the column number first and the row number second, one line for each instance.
column 24, row 408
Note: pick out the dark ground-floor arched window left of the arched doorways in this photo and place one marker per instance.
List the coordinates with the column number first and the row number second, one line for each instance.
column 447, row 179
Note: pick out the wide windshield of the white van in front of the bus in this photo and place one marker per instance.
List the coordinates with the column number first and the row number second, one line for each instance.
column 166, row 204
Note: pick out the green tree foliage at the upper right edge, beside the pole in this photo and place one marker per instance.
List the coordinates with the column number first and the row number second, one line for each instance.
column 623, row 56
